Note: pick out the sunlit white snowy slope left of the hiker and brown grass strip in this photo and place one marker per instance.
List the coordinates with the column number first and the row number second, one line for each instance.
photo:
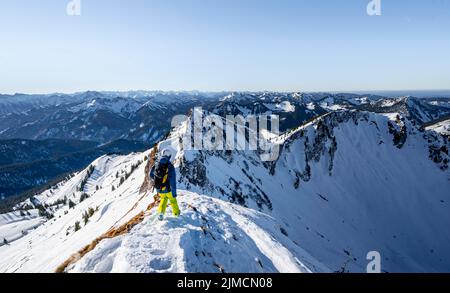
column 32, row 252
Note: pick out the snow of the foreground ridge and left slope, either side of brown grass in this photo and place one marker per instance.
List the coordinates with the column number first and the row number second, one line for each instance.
column 210, row 236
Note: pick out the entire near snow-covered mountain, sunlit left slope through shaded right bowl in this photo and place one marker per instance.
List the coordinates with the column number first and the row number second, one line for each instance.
column 345, row 184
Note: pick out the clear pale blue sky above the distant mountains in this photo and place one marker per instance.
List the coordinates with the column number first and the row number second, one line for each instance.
column 285, row 45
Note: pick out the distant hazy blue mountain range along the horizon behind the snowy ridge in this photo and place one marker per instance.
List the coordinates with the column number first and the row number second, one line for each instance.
column 132, row 121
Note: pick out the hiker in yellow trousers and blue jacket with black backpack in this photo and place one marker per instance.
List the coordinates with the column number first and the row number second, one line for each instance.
column 165, row 181
